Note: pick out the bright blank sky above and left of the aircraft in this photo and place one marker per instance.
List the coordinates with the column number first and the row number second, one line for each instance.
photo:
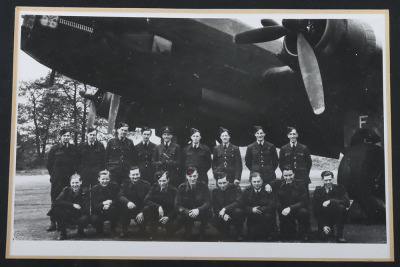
column 29, row 69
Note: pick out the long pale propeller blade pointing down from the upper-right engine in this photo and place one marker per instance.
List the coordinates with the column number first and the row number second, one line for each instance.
column 311, row 75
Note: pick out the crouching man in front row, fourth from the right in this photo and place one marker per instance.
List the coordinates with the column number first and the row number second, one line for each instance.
column 226, row 201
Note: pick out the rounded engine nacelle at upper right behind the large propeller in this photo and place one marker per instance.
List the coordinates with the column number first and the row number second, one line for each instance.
column 343, row 46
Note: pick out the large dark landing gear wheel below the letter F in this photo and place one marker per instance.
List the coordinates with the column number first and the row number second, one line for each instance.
column 362, row 173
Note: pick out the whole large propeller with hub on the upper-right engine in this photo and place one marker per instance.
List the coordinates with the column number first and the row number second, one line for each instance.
column 307, row 60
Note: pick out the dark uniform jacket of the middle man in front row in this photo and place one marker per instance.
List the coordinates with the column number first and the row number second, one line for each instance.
column 198, row 198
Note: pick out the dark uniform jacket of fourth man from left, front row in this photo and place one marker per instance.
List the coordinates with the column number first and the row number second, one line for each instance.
column 166, row 199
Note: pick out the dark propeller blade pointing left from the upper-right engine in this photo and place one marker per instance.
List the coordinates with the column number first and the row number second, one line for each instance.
column 260, row 35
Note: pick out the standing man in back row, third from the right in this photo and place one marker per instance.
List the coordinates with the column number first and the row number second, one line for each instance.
column 226, row 158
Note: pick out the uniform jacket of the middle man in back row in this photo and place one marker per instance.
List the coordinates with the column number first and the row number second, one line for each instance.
column 168, row 159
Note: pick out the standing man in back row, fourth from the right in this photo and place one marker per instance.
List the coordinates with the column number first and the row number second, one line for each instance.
column 197, row 155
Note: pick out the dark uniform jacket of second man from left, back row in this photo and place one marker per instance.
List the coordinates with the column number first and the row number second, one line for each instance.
column 91, row 156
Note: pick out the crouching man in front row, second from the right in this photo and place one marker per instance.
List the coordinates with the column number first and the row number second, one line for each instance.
column 293, row 200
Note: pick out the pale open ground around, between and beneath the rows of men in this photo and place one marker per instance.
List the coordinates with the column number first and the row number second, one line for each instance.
column 32, row 202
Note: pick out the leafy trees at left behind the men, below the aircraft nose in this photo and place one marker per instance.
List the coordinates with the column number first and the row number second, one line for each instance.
column 43, row 111
